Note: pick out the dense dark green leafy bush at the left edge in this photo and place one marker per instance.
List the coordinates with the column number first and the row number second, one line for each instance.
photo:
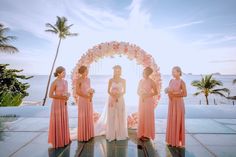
column 12, row 90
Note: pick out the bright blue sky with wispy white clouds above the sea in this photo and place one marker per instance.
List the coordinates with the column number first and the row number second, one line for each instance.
column 197, row 35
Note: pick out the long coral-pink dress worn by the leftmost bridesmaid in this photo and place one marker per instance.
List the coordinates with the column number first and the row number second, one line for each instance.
column 59, row 134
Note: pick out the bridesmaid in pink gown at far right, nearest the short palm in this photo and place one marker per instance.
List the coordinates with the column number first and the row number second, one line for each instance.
column 175, row 132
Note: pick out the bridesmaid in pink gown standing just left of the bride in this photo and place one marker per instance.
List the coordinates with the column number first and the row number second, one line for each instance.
column 85, row 106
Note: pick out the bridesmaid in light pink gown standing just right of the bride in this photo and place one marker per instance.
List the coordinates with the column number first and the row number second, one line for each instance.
column 147, row 90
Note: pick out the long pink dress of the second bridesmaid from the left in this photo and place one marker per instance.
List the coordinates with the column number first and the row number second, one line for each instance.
column 85, row 114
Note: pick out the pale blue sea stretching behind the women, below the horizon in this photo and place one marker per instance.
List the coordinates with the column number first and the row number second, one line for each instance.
column 99, row 83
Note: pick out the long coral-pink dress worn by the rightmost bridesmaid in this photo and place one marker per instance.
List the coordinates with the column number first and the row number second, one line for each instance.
column 175, row 132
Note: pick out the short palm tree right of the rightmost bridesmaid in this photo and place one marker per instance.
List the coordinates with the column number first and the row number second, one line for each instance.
column 207, row 85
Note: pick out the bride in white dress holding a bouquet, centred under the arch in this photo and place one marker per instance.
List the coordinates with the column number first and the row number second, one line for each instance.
column 116, row 127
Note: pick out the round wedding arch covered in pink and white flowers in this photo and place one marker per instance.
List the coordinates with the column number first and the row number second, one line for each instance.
column 109, row 49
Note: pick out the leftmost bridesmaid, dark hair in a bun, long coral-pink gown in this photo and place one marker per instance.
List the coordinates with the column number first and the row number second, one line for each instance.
column 59, row 135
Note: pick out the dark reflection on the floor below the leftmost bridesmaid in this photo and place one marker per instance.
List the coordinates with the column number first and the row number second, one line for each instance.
column 62, row 152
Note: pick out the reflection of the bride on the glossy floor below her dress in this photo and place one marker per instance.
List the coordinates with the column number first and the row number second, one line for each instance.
column 117, row 148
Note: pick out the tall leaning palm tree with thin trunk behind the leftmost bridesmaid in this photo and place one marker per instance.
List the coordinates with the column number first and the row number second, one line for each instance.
column 61, row 29
